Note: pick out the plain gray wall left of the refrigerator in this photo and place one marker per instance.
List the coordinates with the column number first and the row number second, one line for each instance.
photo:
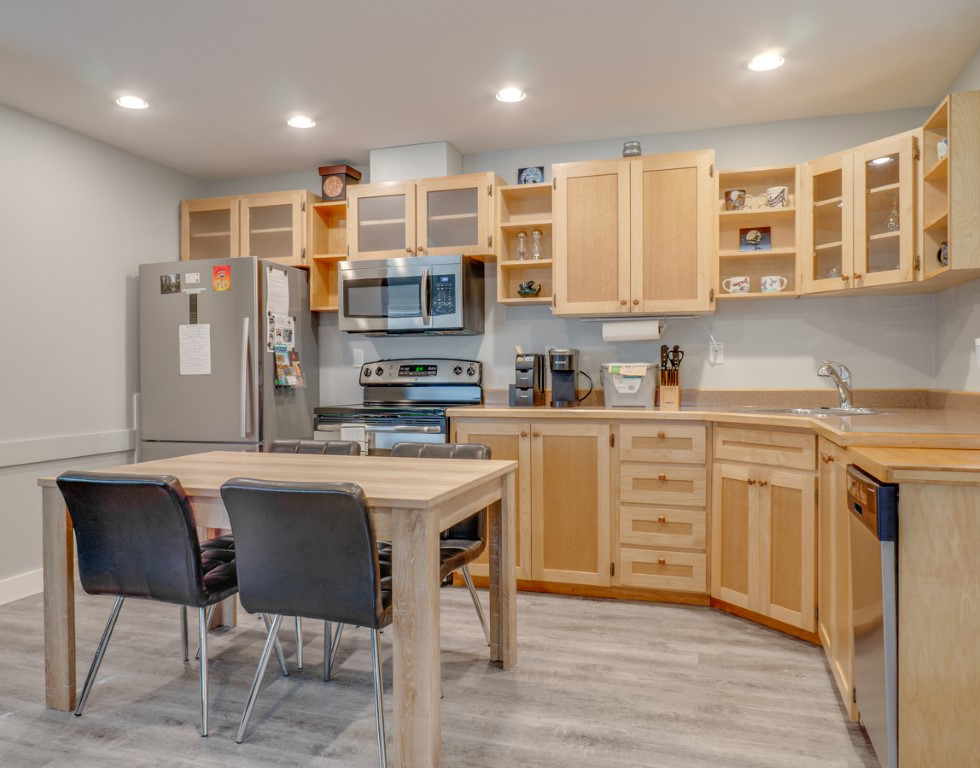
column 78, row 218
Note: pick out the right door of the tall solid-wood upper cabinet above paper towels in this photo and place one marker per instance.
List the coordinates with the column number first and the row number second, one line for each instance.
column 673, row 232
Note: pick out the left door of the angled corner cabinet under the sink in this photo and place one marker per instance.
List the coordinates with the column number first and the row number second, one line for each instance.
column 735, row 557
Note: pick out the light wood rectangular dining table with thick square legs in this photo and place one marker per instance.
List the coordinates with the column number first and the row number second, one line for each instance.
column 412, row 501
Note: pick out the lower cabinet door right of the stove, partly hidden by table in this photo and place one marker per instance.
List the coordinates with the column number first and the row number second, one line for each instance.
column 511, row 441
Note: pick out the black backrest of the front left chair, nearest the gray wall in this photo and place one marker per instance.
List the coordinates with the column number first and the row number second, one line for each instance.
column 135, row 535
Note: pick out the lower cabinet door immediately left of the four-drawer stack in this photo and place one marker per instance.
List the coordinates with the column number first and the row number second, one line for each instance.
column 570, row 503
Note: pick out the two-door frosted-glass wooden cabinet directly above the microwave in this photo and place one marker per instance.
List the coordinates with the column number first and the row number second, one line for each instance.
column 426, row 217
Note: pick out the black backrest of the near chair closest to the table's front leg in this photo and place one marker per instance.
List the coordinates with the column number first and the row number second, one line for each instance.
column 305, row 549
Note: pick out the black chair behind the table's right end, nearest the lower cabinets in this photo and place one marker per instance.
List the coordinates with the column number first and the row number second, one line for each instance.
column 464, row 542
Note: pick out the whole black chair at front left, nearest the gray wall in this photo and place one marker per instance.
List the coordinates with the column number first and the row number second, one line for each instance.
column 136, row 538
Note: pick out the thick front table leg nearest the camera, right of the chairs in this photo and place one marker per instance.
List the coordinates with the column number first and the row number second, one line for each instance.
column 416, row 684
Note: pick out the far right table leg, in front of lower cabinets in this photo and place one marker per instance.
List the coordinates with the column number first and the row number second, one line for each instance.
column 503, row 580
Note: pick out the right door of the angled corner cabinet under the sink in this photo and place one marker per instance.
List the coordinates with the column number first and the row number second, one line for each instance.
column 788, row 528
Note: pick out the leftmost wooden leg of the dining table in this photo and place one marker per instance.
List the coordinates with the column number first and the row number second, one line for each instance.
column 59, row 601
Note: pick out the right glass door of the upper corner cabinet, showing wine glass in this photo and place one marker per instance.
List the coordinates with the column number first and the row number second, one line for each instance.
column 884, row 212
